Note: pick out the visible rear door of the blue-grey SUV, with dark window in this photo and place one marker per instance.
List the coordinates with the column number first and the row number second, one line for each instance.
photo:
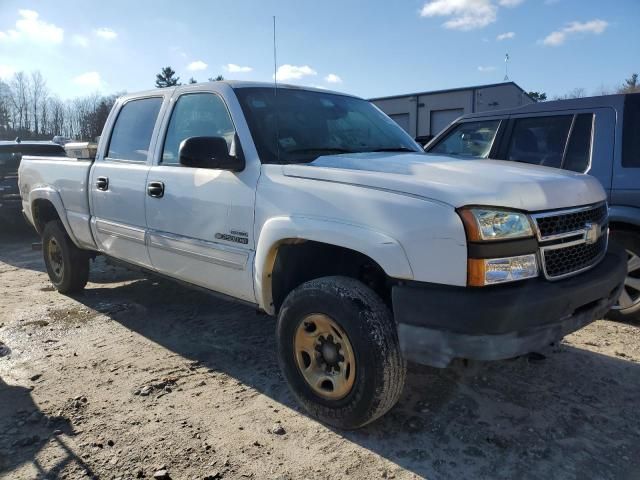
column 579, row 140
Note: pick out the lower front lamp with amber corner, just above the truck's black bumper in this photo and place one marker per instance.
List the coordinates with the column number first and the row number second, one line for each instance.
column 489, row 271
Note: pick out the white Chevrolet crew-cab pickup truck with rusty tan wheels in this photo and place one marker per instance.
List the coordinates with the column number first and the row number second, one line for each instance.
column 317, row 208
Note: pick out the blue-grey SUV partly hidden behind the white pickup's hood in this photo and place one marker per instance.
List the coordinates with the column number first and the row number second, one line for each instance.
column 599, row 136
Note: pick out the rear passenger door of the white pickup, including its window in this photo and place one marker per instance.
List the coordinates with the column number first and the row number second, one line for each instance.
column 118, row 182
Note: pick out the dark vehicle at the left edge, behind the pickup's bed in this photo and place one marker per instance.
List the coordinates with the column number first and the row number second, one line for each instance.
column 10, row 155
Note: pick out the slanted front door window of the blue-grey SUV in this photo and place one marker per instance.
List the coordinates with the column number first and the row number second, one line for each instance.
column 470, row 139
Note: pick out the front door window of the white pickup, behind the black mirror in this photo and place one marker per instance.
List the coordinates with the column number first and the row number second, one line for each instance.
column 196, row 115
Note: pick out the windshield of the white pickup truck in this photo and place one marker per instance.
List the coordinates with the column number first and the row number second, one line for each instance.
column 293, row 126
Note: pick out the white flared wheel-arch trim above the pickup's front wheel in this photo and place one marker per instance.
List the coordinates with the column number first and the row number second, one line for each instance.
column 380, row 247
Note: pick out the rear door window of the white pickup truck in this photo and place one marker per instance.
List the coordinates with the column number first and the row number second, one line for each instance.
column 132, row 131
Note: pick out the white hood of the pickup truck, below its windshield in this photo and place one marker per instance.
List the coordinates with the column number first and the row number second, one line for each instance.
column 455, row 181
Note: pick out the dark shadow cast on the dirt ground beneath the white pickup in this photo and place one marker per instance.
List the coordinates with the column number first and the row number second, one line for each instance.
column 571, row 415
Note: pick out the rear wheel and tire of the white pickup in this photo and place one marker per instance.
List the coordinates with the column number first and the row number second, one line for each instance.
column 67, row 265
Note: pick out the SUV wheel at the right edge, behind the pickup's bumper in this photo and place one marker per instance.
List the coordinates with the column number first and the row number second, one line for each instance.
column 627, row 309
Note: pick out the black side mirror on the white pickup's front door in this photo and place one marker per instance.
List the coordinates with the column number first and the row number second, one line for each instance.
column 211, row 152
